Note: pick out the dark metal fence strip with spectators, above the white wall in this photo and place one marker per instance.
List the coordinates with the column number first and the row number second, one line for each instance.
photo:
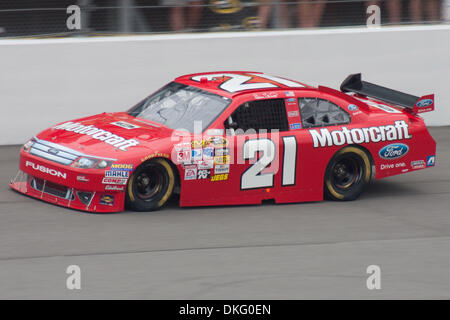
column 37, row 18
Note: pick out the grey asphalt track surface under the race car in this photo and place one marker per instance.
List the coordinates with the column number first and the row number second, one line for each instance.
column 296, row 251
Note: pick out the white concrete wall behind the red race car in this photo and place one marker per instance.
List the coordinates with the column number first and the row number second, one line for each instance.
column 43, row 82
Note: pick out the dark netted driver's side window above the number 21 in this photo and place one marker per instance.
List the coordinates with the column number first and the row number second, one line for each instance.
column 260, row 114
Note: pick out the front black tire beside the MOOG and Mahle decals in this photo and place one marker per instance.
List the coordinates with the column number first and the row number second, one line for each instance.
column 150, row 185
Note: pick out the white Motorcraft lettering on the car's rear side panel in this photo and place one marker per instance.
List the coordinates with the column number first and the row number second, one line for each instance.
column 327, row 138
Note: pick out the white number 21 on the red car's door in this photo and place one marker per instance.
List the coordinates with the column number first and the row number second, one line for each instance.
column 252, row 178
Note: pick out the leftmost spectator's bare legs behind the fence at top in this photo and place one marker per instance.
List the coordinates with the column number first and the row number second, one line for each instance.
column 177, row 13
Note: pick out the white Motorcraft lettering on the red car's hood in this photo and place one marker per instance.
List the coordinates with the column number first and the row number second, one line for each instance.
column 98, row 134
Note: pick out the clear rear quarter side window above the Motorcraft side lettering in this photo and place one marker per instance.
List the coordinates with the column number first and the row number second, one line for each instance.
column 317, row 112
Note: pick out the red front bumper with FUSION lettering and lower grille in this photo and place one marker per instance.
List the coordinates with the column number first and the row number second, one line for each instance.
column 61, row 185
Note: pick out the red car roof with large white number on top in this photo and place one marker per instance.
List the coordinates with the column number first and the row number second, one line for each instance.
column 232, row 83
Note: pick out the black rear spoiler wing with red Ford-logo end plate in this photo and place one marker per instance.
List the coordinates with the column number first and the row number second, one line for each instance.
column 353, row 83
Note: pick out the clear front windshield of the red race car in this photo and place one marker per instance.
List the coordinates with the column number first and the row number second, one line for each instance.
column 177, row 106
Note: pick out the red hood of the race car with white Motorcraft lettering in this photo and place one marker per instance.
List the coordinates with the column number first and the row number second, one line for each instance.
column 107, row 134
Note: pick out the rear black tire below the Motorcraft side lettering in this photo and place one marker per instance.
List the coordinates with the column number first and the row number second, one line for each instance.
column 347, row 174
